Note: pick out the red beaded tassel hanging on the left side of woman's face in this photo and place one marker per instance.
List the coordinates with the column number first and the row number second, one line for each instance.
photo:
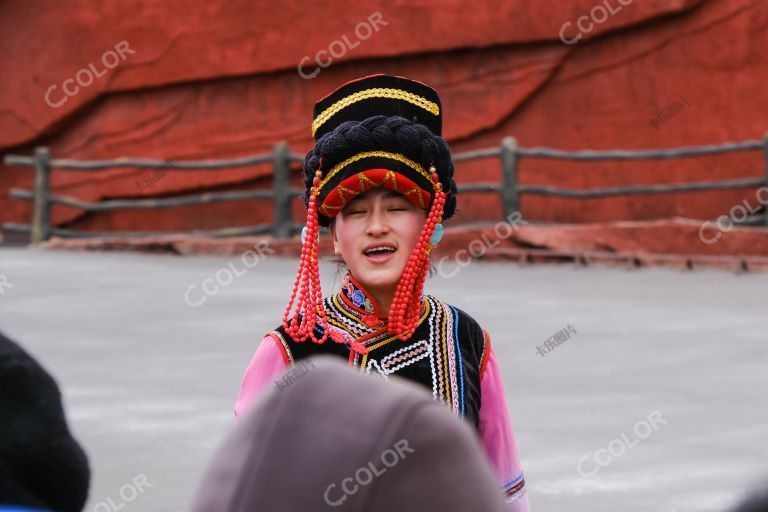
column 310, row 300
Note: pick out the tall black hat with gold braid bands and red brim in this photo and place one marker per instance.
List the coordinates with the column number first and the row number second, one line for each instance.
column 379, row 130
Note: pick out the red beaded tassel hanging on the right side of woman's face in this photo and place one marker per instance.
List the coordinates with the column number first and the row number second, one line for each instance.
column 406, row 304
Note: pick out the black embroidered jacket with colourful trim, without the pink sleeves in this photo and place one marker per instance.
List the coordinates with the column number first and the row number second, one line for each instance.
column 447, row 352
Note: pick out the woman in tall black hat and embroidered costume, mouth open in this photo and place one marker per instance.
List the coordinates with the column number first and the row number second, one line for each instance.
column 380, row 177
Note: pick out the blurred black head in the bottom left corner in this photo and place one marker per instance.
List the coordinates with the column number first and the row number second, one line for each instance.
column 41, row 465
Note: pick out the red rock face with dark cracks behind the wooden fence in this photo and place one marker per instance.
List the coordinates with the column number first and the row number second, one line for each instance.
column 225, row 79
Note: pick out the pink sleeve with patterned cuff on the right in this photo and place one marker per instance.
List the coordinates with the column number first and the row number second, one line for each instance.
column 497, row 437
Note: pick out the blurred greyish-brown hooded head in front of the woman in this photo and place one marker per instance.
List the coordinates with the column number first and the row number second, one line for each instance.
column 328, row 438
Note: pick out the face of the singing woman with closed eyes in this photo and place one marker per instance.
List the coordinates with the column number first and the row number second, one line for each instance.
column 379, row 218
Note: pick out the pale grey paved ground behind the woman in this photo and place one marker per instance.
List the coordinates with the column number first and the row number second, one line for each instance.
column 149, row 380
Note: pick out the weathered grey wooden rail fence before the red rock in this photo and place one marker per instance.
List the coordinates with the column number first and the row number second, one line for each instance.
column 282, row 193
